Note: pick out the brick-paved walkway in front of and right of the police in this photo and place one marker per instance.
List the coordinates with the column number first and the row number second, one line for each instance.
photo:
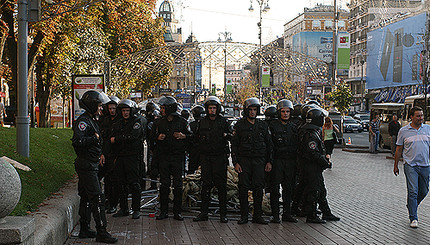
column 362, row 190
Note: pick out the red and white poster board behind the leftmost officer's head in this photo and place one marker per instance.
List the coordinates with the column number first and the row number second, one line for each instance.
column 80, row 85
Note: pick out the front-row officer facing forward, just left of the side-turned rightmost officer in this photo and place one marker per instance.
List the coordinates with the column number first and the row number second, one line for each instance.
column 284, row 138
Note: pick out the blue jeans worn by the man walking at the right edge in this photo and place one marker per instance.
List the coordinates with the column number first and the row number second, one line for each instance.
column 417, row 180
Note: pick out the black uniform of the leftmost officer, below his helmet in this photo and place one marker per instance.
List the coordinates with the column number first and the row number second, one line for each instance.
column 88, row 148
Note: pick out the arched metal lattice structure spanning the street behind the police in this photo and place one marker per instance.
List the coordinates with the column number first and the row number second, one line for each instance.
column 211, row 54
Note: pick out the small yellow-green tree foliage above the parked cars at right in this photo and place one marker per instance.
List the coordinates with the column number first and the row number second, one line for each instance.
column 341, row 97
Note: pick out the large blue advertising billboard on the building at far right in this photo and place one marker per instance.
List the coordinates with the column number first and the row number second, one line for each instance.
column 394, row 53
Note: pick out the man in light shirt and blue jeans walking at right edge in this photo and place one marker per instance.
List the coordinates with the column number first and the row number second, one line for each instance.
column 413, row 142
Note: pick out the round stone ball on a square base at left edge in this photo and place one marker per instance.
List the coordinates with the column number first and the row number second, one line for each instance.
column 13, row 229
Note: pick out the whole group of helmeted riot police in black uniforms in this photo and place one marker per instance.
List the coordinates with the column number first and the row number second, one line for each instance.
column 284, row 150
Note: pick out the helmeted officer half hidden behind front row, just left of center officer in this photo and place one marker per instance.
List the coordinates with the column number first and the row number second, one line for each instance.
column 198, row 112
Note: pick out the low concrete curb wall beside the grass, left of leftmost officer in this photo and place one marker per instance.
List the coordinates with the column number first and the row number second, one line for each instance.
column 57, row 215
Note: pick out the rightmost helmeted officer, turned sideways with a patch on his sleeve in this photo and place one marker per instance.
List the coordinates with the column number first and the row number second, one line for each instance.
column 314, row 161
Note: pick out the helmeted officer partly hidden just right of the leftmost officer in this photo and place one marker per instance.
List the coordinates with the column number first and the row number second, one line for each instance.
column 105, row 171
